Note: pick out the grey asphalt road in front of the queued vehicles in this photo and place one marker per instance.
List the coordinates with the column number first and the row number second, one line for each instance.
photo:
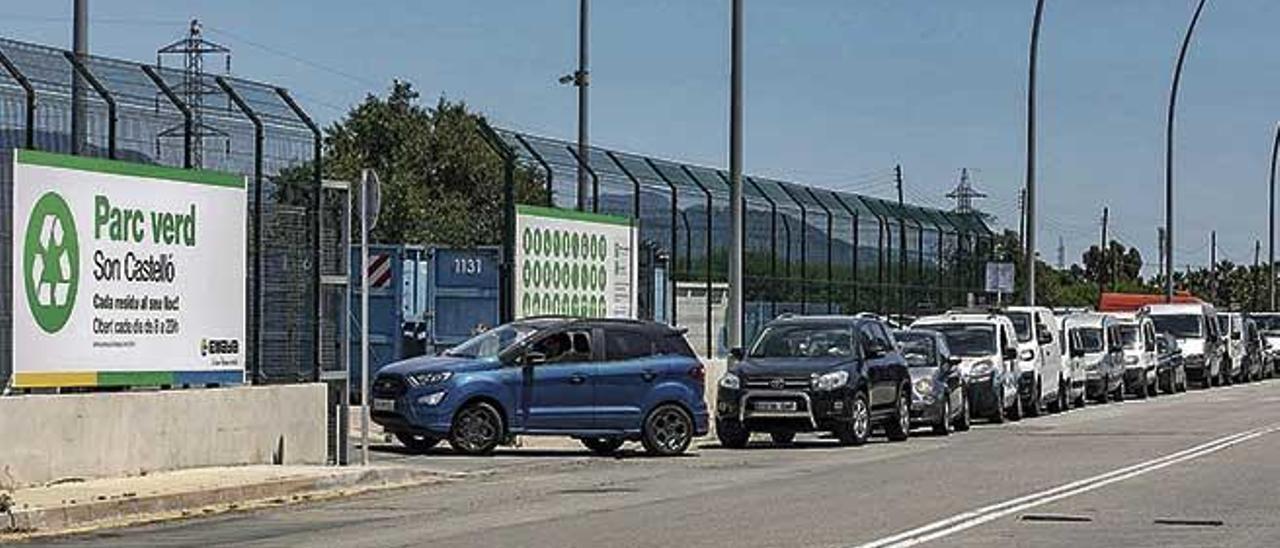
column 1197, row 471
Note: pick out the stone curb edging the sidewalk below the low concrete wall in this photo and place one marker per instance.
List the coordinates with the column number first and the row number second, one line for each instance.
column 134, row 510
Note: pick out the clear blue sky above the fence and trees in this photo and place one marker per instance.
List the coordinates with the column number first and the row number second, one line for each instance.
column 838, row 92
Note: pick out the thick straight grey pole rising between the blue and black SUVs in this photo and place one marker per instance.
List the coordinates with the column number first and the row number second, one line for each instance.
column 735, row 175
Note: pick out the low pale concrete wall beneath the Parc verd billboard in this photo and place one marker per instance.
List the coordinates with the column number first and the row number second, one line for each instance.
column 44, row 439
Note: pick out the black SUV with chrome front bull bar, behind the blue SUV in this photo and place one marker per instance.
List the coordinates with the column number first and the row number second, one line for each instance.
column 839, row 375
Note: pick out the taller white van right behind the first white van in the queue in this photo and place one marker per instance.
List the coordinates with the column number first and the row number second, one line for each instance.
column 1040, row 359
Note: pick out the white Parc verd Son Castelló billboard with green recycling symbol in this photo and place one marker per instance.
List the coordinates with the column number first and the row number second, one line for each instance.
column 126, row 275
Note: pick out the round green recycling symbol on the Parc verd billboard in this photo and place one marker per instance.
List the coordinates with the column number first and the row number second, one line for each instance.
column 51, row 255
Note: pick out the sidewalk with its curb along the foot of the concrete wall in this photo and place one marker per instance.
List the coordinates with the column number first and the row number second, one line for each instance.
column 79, row 506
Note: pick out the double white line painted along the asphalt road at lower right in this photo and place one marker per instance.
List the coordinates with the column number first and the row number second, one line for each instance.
column 972, row 519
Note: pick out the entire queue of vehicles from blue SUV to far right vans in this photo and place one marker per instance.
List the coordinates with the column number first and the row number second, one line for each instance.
column 606, row 382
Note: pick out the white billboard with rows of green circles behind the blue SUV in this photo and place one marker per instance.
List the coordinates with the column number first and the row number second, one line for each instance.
column 575, row 264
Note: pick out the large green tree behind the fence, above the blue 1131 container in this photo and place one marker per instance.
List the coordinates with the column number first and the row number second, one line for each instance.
column 441, row 181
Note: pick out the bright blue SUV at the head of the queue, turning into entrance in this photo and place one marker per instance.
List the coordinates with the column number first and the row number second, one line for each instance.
column 602, row 382
